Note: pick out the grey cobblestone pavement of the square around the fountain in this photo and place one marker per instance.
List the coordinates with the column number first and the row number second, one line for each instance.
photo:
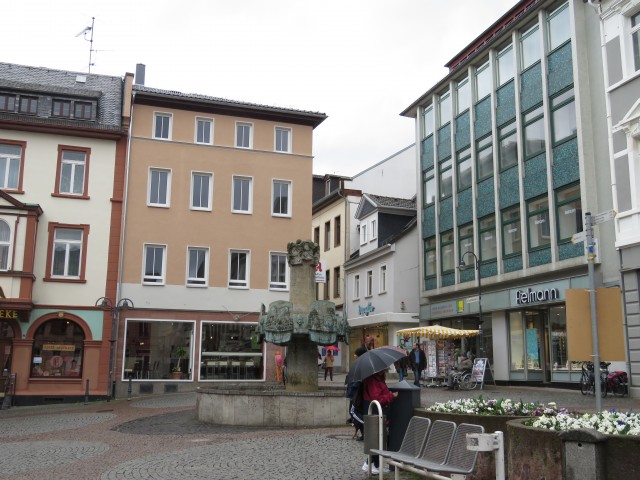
column 160, row 438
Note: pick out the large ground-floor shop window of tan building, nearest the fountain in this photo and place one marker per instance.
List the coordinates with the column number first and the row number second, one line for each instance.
column 230, row 351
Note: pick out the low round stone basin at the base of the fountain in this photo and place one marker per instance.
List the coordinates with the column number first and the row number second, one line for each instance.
column 271, row 407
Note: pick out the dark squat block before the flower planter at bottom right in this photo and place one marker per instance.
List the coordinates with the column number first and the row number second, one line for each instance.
column 583, row 455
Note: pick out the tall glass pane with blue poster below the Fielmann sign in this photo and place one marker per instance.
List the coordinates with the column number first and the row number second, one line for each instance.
column 528, row 340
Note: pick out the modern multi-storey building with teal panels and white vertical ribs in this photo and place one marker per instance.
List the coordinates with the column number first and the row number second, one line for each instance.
column 513, row 152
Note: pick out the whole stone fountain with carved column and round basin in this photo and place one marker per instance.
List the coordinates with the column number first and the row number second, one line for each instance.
column 300, row 324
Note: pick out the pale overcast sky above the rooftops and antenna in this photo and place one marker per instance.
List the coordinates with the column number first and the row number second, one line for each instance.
column 361, row 62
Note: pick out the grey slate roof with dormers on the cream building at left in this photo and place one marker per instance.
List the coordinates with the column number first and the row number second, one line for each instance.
column 107, row 90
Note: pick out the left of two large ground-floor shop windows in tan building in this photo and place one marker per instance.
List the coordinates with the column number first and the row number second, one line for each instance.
column 152, row 349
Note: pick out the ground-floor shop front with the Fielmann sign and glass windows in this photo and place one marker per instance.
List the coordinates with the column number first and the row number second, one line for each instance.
column 524, row 329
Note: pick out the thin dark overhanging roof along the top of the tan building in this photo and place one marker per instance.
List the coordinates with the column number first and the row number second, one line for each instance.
column 308, row 117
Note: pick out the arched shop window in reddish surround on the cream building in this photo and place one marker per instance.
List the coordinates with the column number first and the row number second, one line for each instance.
column 58, row 347
